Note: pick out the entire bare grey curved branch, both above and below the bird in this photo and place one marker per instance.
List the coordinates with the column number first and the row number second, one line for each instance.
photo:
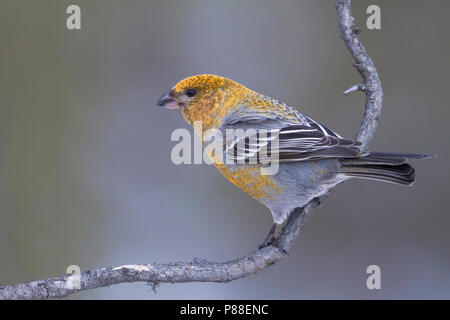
column 201, row 270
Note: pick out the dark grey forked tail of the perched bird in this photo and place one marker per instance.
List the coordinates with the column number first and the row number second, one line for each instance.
column 384, row 166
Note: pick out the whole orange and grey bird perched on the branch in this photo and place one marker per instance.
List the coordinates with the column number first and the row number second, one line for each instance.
column 311, row 158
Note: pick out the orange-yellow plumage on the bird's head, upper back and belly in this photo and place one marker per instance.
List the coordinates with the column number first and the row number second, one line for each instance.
column 216, row 98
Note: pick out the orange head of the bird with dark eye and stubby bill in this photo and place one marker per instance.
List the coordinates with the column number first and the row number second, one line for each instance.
column 206, row 98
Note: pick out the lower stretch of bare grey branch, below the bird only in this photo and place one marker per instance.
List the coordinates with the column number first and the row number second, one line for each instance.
column 198, row 270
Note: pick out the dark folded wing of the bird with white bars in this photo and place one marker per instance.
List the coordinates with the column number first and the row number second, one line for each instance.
column 286, row 143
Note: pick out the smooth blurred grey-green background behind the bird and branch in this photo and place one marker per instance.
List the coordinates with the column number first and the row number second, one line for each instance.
column 85, row 170
